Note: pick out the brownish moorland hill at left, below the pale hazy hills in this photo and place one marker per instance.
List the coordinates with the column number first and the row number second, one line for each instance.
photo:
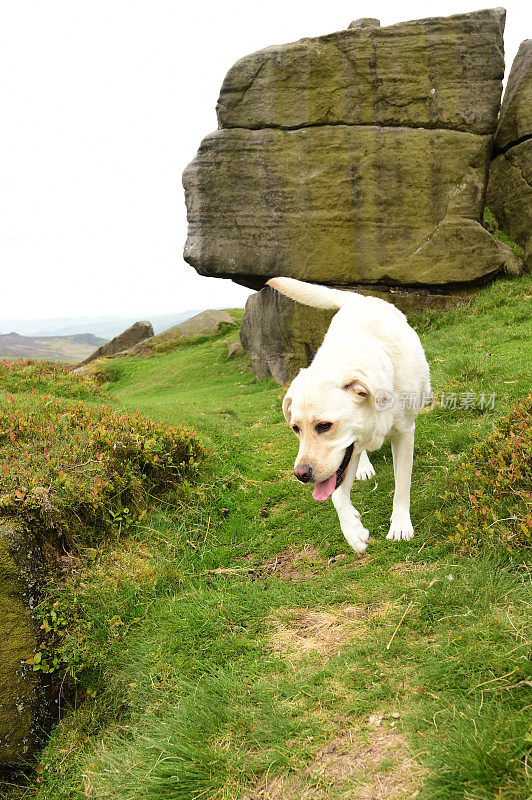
column 70, row 349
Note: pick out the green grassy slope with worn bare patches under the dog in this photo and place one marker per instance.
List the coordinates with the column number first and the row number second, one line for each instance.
column 230, row 645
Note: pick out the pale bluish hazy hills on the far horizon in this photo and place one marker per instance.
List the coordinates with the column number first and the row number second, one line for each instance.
column 107, row 327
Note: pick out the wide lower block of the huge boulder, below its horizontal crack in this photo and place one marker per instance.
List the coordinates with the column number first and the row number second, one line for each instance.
column 340, row 205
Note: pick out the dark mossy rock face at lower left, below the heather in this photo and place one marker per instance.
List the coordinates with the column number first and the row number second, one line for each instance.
column 21, row 702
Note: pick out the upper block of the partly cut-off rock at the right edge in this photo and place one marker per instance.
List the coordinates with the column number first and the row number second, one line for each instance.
column 515, row 121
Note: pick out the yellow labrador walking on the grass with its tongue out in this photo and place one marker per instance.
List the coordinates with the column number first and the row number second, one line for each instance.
column 367, row 383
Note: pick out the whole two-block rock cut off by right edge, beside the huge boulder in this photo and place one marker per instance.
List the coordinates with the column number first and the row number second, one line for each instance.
column 510, row 185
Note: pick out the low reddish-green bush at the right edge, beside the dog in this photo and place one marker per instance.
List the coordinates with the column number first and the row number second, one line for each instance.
column 490, row 492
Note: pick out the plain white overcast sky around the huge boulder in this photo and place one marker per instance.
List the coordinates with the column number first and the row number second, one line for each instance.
column 103, row 103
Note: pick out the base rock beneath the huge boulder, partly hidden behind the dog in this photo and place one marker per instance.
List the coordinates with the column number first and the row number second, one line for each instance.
column 280, row 336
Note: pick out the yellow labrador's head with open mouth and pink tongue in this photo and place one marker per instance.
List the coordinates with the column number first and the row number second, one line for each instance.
column 332, row 418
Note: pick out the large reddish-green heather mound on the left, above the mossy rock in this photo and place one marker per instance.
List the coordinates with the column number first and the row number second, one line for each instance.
column 74, row 470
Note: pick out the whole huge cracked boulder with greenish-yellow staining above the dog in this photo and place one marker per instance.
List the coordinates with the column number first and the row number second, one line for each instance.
column 358, row 157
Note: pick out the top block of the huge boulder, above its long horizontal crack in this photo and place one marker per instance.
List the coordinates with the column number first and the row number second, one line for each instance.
column 444, row 72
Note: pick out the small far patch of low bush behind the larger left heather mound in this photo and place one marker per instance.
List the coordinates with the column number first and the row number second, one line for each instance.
column 27, row 374
